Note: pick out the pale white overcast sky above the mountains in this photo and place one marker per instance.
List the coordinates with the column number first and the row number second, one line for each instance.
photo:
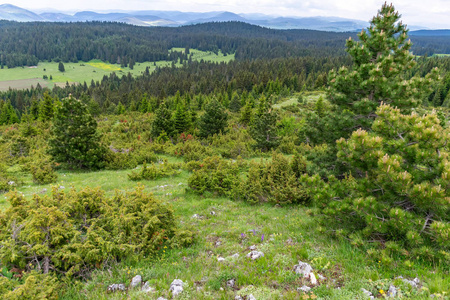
column 430, row 13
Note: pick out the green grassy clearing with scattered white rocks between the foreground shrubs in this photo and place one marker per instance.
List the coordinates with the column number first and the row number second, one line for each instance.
column 290, row 235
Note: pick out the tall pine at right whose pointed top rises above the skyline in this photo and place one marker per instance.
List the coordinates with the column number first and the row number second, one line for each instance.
column 381, row 58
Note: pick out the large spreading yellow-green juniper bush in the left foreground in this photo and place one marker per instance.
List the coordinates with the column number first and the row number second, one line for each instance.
column 74, row 232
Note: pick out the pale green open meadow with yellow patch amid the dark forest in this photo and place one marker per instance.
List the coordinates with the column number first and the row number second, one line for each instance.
column 25, row 77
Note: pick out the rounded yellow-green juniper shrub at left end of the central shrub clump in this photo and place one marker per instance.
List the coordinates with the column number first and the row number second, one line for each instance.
column 214, row 175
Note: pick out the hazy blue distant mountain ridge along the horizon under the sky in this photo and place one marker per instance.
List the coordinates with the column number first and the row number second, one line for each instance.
column 177, row 18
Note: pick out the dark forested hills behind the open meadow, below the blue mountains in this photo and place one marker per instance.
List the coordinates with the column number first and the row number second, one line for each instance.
column 24, row 44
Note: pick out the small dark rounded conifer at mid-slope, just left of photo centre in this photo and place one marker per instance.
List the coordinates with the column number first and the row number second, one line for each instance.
column 214, row 120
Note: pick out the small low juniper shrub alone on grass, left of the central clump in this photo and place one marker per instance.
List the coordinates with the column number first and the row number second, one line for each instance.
column 155, row 171
